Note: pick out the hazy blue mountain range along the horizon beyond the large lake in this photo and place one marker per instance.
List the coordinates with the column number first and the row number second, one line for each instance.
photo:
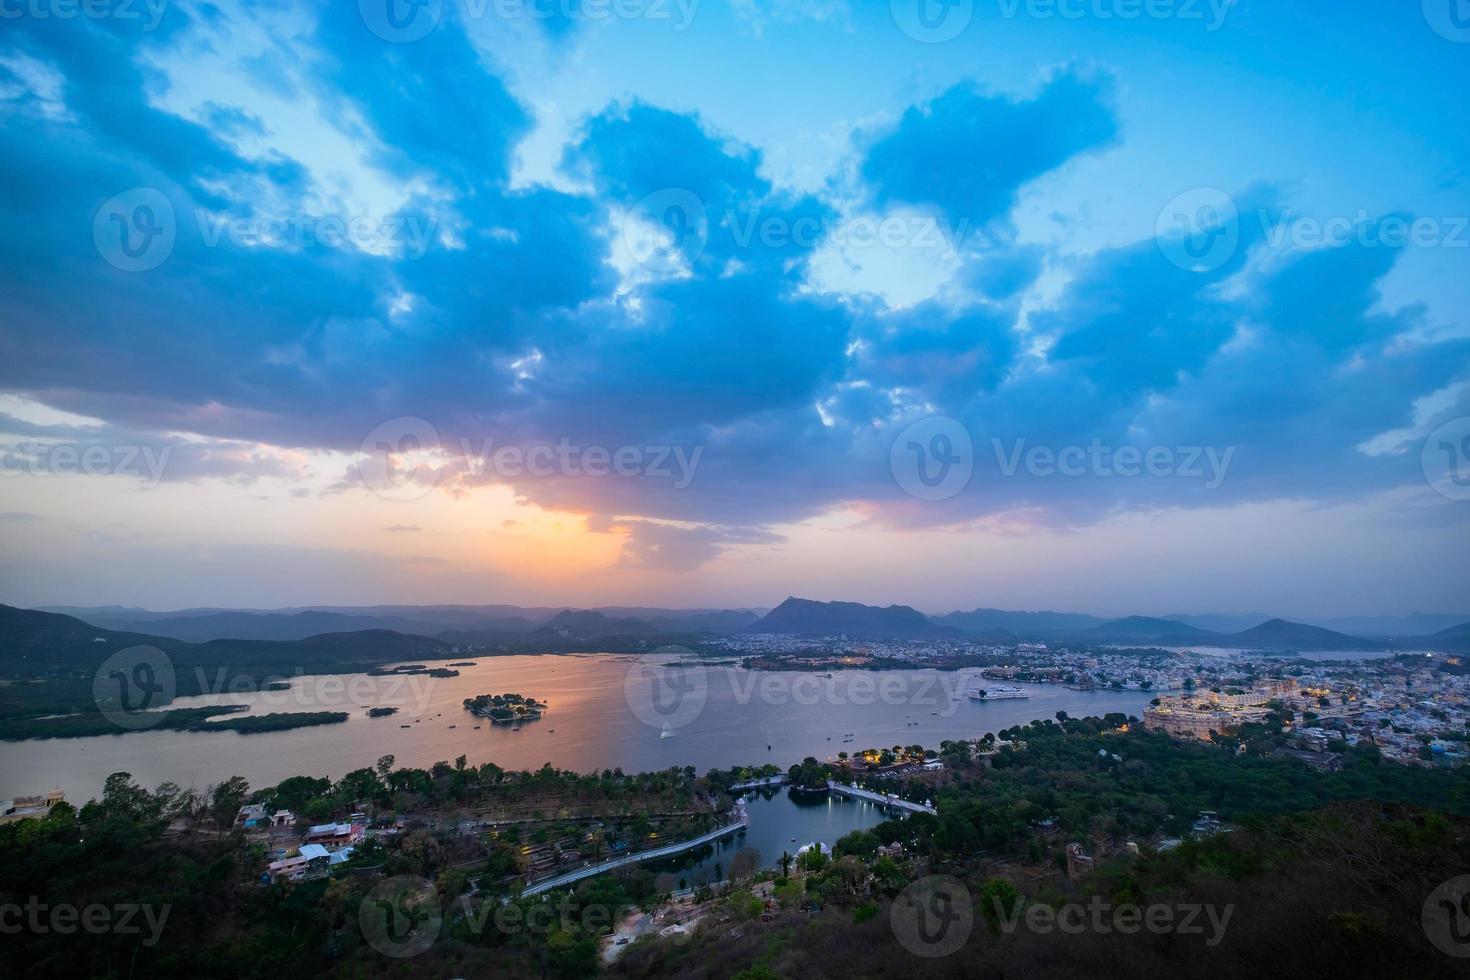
column 411, row 630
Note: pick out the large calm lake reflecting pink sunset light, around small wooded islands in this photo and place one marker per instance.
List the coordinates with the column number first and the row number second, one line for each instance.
column 606, row 712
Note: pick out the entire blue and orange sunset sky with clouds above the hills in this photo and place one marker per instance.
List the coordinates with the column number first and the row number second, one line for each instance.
column 1116, row 306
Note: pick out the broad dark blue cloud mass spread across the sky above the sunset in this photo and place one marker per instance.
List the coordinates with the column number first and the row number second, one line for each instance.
column 526, row 318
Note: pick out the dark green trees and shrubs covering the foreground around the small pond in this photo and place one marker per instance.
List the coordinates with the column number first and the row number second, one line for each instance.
column 1327, row 872
